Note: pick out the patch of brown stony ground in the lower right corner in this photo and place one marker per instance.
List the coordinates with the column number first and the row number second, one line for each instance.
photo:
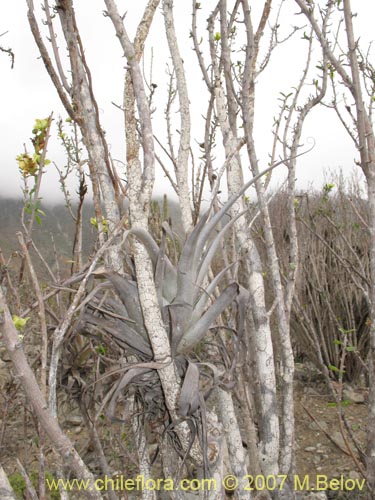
column 320, row 447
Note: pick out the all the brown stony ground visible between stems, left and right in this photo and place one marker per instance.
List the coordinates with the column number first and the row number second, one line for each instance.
column 321, row 452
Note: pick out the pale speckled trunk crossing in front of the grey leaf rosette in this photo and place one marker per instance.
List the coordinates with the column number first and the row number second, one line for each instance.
column 140, row 183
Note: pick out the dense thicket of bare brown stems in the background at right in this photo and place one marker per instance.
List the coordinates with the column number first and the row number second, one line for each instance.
column 331, row 300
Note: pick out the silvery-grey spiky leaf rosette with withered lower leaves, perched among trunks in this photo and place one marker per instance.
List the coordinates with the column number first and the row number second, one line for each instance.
column 203, row 348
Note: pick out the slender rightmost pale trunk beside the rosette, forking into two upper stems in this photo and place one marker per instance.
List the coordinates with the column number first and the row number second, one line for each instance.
column 283, row 294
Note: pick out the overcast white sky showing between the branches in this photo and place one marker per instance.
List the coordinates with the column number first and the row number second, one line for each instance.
column 27, row 93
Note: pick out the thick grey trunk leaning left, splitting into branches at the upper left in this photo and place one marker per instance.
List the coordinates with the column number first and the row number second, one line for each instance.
column 80, row 103
